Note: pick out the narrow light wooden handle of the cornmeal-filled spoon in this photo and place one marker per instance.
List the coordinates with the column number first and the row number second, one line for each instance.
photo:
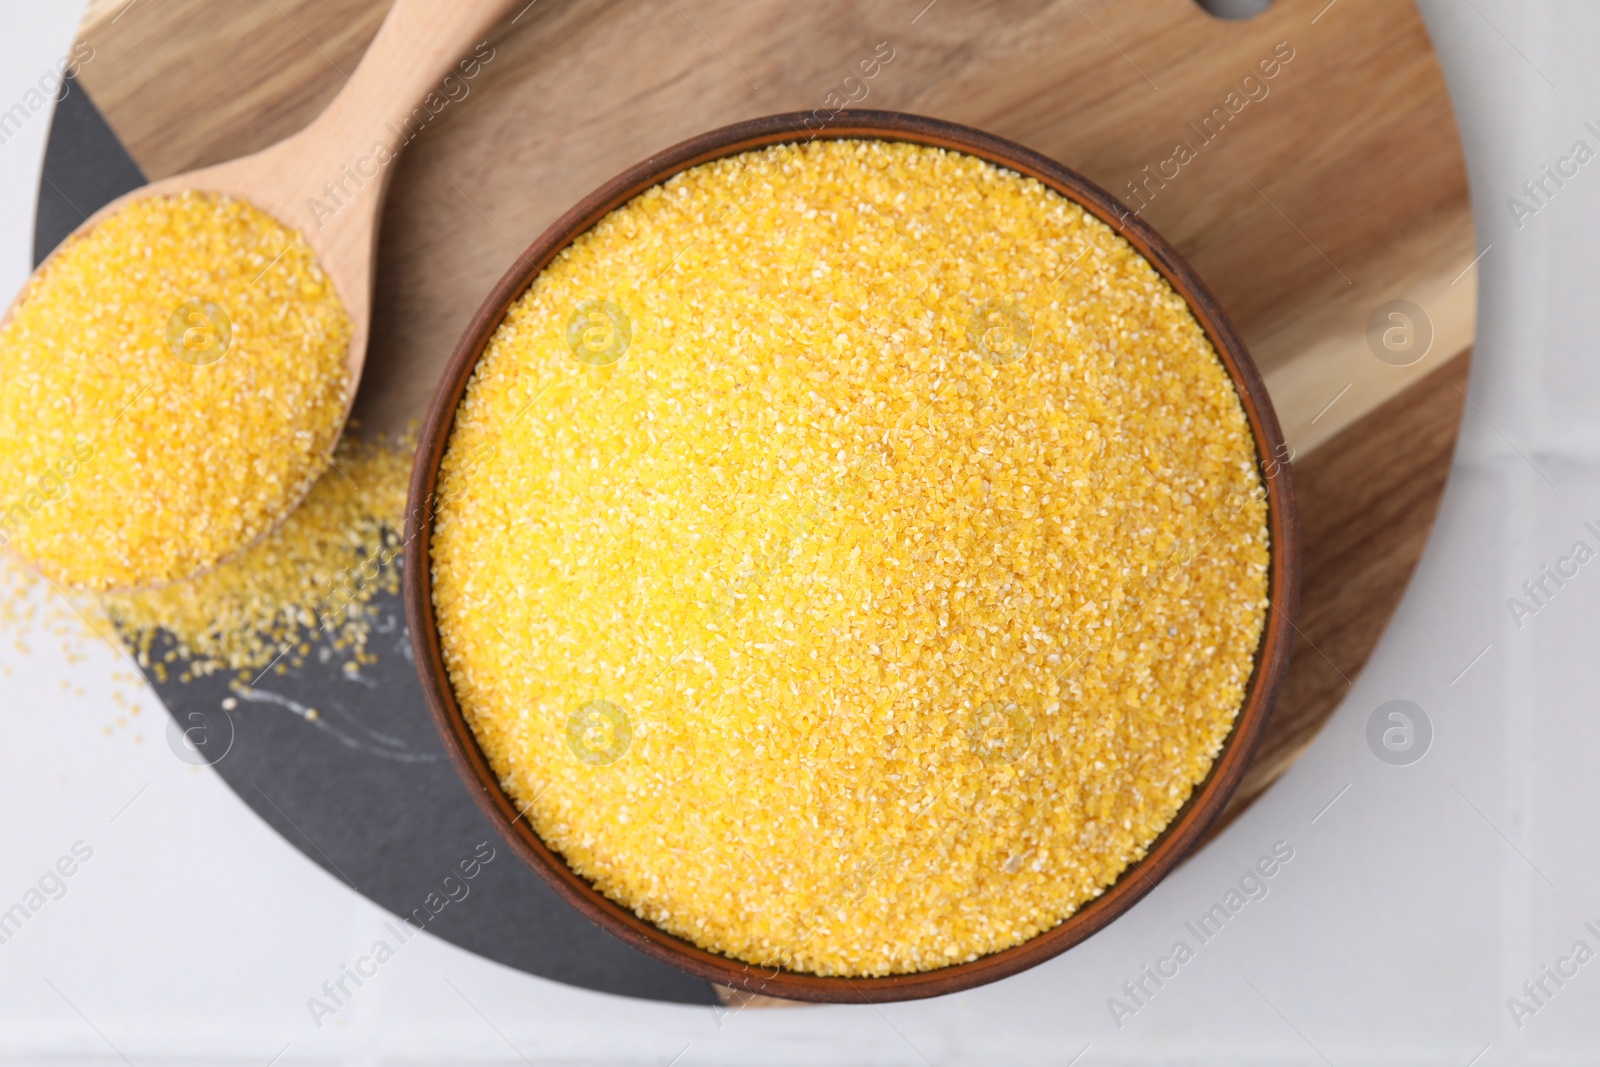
column 422, row 60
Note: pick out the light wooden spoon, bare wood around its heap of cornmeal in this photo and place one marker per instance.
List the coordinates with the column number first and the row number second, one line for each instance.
column 329, row 180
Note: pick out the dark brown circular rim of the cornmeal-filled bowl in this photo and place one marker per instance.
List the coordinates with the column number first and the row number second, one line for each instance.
column 1204, row 805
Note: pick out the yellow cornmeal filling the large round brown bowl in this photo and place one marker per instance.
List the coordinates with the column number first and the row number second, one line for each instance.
column 814, row 629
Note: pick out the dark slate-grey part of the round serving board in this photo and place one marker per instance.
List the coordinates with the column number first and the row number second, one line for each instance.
column 366, row 789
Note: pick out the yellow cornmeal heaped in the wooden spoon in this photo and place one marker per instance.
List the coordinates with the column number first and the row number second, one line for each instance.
column 126, row 458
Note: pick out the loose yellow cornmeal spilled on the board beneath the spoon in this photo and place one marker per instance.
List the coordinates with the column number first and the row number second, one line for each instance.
column 313, row 577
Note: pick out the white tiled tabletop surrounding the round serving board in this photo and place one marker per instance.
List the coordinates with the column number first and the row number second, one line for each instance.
column 1412, row 911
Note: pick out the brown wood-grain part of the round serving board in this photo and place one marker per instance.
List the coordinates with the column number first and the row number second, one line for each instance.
column 1306, row 201
